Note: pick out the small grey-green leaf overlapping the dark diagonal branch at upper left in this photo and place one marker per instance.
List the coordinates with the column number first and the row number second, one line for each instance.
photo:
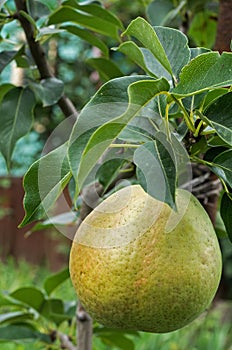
column 49, row 90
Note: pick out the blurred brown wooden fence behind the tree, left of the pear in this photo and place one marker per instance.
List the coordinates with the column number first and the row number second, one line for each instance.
column 38, row 247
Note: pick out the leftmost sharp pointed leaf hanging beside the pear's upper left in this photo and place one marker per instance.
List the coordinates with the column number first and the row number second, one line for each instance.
column 44, row 182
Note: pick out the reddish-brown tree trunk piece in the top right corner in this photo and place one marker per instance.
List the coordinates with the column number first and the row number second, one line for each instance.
column 224, row 29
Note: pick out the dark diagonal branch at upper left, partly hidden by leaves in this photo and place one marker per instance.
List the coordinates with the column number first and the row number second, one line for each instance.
column 39, row 57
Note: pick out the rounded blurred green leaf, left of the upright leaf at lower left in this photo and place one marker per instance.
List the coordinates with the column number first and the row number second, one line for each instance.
column 31, row 296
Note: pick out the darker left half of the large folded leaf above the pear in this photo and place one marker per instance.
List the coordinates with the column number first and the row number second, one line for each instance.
column 110, row 101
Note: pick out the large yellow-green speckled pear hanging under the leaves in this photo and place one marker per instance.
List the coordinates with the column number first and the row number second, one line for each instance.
column 137, row 264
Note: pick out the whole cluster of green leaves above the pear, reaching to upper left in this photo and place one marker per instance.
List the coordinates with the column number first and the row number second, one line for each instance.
column 176, row 112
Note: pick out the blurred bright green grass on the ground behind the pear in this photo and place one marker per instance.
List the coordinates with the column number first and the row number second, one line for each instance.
column 211, row 331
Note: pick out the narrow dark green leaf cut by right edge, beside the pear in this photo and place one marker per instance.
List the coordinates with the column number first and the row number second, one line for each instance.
column 225, row 211
